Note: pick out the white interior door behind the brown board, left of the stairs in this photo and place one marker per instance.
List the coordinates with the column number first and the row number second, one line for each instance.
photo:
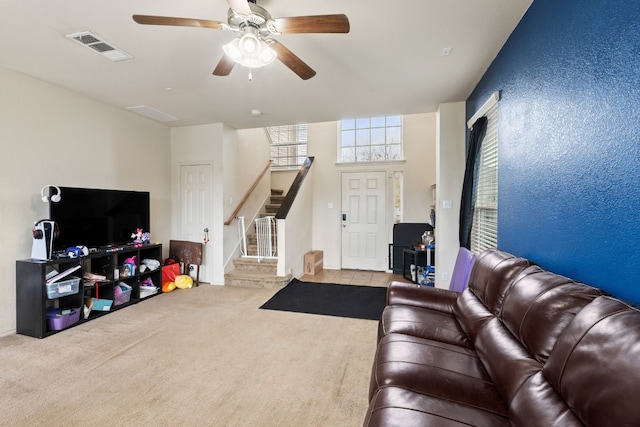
column 195, row 199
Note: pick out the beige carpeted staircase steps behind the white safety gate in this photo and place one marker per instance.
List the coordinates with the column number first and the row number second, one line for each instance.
column 254, row 272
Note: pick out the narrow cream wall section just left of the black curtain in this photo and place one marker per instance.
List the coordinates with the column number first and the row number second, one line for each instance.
column 450, row 172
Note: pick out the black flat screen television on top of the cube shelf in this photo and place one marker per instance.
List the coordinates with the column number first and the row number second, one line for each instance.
column 98, row 218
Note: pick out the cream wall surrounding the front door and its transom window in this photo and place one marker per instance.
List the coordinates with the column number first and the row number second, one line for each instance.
column 419, row 136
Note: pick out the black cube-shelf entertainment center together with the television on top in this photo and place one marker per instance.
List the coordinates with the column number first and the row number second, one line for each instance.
column 65, row 291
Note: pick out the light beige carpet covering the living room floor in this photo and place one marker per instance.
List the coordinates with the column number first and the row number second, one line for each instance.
column 205, row 356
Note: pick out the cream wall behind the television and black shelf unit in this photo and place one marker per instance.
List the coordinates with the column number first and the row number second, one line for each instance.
column 53, row 136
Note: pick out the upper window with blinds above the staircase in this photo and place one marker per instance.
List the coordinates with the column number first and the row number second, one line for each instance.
column 288, row 146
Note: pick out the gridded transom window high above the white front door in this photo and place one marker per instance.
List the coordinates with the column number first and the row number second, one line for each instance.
column 370, row 139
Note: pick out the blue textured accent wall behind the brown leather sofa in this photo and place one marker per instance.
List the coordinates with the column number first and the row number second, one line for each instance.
column 569, row 141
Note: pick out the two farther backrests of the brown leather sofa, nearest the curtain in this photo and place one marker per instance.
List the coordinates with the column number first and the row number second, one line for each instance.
column 515, row 330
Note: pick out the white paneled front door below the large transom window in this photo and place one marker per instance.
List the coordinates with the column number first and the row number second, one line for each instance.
column 364, row 244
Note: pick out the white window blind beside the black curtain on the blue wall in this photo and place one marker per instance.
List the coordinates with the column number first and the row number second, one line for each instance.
column 484, row 231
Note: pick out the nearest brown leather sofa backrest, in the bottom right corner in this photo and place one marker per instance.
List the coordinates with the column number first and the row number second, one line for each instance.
column 592, row 376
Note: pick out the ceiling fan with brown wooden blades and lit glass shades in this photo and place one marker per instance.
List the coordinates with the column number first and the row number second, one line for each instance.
column 254, row 47
